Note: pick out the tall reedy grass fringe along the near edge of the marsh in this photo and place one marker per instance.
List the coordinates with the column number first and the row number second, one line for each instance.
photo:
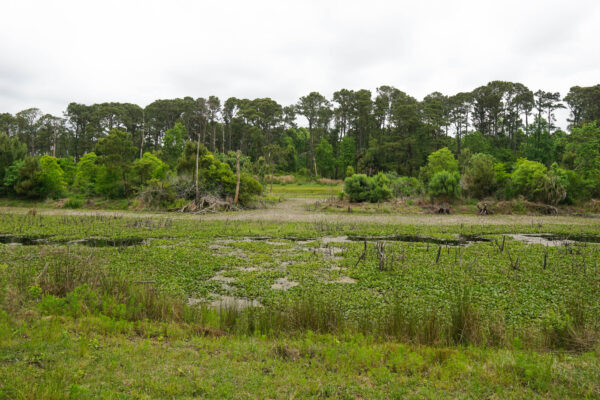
column 76, row 285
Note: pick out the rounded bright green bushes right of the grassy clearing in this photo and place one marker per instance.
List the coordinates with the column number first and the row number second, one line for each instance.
column 482, row 176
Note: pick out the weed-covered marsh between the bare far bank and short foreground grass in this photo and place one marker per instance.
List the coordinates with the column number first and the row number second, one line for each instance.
column 397, row 291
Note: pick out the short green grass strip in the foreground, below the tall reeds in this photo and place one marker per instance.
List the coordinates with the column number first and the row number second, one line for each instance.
column 92, row 357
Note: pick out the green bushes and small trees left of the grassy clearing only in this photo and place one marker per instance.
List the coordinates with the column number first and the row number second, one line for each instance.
column 114, row 172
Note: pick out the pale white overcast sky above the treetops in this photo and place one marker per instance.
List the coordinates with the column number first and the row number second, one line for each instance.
column 55, row 52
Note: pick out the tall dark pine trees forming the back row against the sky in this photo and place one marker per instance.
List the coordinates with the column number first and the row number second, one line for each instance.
column 388, row 130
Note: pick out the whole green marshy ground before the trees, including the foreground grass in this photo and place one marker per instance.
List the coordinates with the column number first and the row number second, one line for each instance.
column 289, row 303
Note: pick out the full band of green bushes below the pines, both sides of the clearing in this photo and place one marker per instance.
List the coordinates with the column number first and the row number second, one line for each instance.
column 484, row 168
